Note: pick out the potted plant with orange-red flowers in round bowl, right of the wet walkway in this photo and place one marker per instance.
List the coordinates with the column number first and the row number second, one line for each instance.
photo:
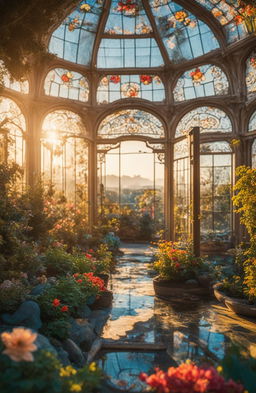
column 181, row 276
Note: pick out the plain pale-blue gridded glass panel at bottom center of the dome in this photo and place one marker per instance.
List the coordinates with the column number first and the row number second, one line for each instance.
column 123, row 53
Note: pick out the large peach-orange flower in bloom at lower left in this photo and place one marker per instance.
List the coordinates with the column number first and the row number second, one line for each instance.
column 19, row 344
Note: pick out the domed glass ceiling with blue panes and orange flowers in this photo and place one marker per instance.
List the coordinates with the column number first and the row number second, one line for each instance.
column 139, row 34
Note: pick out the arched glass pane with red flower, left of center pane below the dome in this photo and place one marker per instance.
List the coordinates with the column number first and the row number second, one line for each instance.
column 66, row 84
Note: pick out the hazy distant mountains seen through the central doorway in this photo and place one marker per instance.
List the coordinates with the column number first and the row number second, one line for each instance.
column 132, row 182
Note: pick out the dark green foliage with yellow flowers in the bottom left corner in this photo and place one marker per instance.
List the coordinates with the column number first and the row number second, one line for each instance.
column 46, row 374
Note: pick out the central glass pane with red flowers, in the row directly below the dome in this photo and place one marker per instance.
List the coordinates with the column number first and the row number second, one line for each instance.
column 115, row 87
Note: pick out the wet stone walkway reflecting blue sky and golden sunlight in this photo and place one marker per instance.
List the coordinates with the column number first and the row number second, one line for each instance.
column 205, row 332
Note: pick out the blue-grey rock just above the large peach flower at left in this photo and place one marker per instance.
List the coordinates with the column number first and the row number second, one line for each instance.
column 27, row 315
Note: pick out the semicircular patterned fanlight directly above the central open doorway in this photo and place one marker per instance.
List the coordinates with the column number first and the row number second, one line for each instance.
column 132, row 122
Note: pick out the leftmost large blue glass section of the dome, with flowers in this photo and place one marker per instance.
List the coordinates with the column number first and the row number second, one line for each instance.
column 73, row 40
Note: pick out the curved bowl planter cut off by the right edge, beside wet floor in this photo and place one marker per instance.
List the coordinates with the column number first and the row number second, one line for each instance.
column 238, row 306
